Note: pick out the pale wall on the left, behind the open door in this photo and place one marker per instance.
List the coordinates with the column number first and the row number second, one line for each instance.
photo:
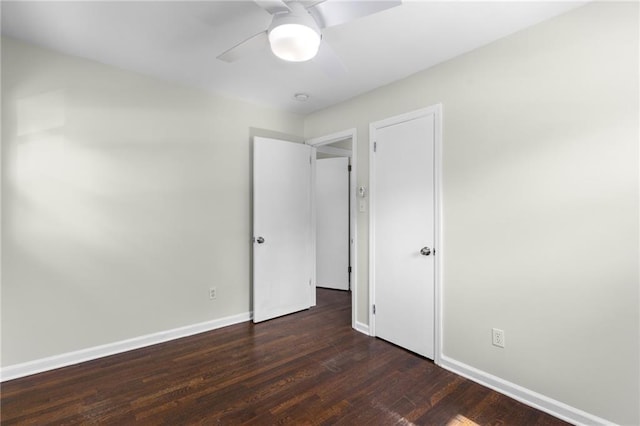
column 124, row 199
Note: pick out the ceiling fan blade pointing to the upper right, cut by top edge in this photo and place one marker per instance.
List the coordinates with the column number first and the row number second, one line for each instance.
column 330, row 13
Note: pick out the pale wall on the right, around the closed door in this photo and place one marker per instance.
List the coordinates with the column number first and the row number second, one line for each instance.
column 540, row 170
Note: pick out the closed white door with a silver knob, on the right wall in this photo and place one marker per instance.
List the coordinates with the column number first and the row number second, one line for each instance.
column 403, row 231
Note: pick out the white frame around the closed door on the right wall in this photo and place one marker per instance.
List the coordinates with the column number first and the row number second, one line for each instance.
column 436, row 110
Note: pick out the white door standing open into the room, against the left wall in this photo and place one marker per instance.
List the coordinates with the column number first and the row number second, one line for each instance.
column 283, row 252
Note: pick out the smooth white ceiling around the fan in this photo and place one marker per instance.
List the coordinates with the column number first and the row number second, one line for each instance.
column 179, row 41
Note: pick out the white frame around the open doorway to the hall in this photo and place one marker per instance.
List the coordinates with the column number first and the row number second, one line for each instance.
column 318, row 143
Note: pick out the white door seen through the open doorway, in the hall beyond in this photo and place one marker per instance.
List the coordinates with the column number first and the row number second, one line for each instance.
column 332, row 223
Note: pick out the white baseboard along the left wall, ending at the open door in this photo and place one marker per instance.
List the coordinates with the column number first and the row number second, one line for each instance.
column 50, row 363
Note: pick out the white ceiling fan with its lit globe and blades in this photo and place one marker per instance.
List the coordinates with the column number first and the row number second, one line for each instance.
column 295, row 33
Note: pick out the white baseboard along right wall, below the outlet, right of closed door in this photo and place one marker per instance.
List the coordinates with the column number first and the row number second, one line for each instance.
column 526, row 396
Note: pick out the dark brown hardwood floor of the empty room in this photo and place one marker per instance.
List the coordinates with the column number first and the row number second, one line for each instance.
column 305, row 368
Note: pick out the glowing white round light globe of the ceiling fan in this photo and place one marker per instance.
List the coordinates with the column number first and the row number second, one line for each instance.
column 294, row 42
